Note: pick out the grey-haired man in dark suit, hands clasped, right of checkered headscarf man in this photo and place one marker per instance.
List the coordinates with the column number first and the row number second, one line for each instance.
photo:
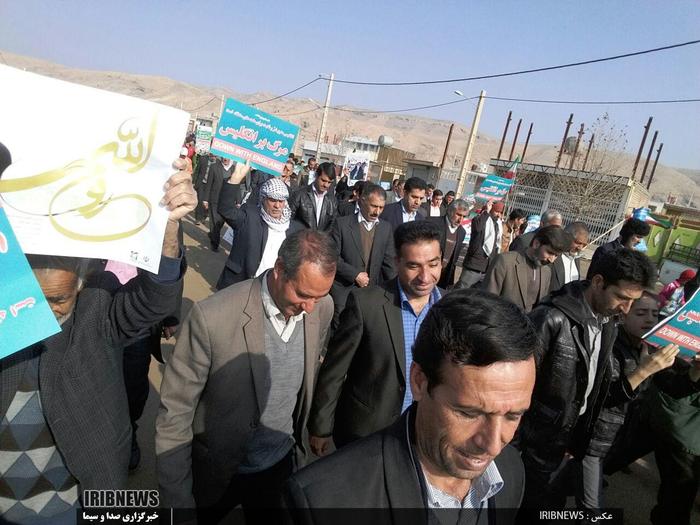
column 365, row 248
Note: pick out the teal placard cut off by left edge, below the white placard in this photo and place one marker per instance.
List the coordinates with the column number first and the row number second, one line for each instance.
column 25, row 316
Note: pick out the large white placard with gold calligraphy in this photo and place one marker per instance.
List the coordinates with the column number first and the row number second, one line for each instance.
column 88, row 168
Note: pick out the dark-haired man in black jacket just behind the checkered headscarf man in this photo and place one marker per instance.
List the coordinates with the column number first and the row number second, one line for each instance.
column 314, row 206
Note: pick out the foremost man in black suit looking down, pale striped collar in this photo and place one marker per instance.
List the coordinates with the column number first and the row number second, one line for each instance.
column 471, row 382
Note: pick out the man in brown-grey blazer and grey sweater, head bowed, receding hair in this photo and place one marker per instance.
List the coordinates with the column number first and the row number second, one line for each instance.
column 237, row 390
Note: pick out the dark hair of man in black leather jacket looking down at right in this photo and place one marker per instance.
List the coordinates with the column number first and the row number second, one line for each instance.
column 624, row 264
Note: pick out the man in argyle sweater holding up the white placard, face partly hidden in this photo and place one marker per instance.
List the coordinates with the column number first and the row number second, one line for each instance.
column 63, row 407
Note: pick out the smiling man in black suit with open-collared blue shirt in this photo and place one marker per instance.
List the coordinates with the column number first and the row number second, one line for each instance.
column 362, row 383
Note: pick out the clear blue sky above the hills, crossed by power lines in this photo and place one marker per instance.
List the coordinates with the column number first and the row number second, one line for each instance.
column 274, row 47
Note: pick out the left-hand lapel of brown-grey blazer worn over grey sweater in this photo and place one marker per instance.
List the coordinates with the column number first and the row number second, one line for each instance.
column 254, row 335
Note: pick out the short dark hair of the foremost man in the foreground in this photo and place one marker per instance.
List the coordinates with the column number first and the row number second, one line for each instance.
column 466, row 328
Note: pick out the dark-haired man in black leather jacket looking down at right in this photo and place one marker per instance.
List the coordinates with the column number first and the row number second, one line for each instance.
column 578, row 329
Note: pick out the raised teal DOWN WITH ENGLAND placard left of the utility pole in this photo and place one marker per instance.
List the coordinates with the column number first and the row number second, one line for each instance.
column 247, row 134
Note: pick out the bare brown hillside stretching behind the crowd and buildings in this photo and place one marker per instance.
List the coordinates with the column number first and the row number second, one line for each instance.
column 423, row 136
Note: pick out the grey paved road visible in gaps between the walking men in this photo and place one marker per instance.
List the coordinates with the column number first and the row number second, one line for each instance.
column 634, row 492
